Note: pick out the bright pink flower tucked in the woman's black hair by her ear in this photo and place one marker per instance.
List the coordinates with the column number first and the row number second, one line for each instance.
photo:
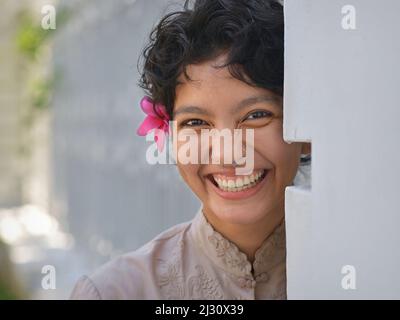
column 157, row 120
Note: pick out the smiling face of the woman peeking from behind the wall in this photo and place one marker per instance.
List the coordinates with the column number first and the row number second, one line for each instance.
column 217, row 98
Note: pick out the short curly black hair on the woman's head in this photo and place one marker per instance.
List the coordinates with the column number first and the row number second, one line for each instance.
column 251, row 32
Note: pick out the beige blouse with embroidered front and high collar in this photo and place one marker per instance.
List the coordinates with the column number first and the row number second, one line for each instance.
column 191, row 261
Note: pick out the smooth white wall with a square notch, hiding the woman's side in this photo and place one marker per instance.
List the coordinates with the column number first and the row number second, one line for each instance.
column 341, row 93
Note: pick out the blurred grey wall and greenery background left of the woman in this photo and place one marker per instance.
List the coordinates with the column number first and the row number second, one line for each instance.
column 75, row 187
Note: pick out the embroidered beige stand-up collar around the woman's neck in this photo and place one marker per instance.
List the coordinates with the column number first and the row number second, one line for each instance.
column 228, row 256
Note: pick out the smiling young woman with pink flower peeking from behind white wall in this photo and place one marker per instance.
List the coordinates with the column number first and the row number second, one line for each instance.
column 216, row 65
